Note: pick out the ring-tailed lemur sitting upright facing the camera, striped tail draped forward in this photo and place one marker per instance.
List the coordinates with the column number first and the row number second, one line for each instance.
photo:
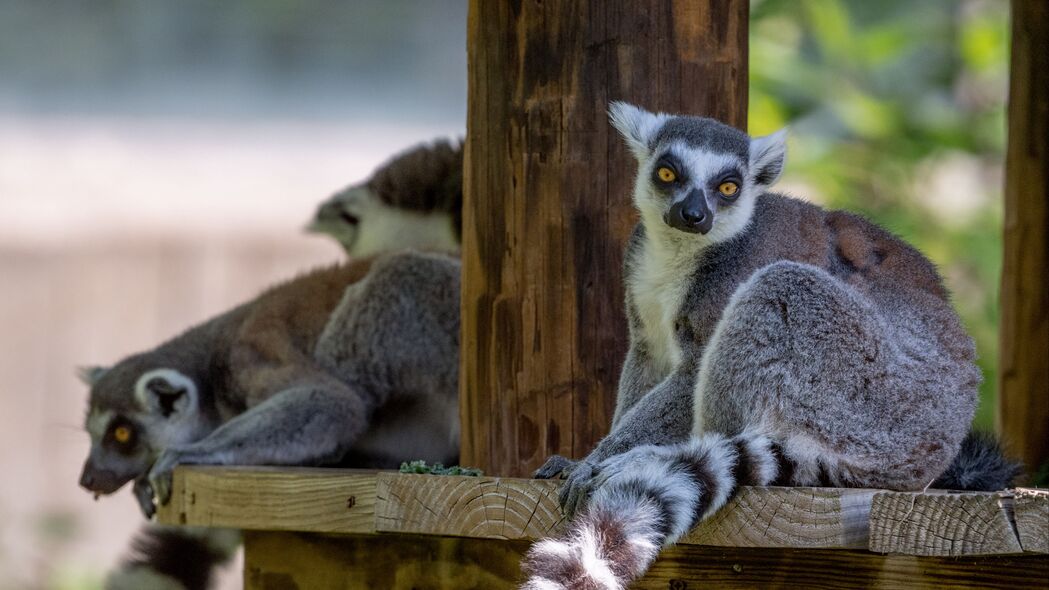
column 799, row 346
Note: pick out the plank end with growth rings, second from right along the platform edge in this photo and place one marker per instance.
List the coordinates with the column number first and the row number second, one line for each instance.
column 943, row 524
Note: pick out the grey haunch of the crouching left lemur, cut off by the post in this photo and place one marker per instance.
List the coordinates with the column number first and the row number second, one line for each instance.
column 396, row 334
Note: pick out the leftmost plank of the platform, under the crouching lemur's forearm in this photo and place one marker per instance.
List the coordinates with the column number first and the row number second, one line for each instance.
column 273, row 499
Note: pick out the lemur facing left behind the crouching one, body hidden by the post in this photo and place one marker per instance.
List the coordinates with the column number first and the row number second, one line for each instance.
column 414, row 201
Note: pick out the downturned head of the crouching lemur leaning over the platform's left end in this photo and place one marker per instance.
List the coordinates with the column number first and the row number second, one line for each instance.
column 136, row 411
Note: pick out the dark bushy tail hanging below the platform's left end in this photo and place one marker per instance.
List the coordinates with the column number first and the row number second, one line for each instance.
column 174, row 559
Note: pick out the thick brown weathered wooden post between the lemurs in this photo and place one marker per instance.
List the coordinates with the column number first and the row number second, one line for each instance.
column 547, row 205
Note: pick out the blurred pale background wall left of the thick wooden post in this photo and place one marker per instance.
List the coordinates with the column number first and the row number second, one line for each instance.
column 158, row 163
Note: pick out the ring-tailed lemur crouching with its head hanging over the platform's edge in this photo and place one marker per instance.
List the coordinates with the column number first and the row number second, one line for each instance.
column 355, row 365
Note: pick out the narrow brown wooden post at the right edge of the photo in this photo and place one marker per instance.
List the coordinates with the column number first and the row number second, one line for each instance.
column 1023, row 399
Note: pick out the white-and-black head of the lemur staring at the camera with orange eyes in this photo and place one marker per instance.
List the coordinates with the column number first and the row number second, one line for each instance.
column 697, row 176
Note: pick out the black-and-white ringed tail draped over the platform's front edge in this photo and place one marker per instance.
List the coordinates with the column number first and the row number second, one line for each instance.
column 647, row 499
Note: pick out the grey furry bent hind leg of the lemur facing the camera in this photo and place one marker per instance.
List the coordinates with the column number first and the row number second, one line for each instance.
column 852, row 393
